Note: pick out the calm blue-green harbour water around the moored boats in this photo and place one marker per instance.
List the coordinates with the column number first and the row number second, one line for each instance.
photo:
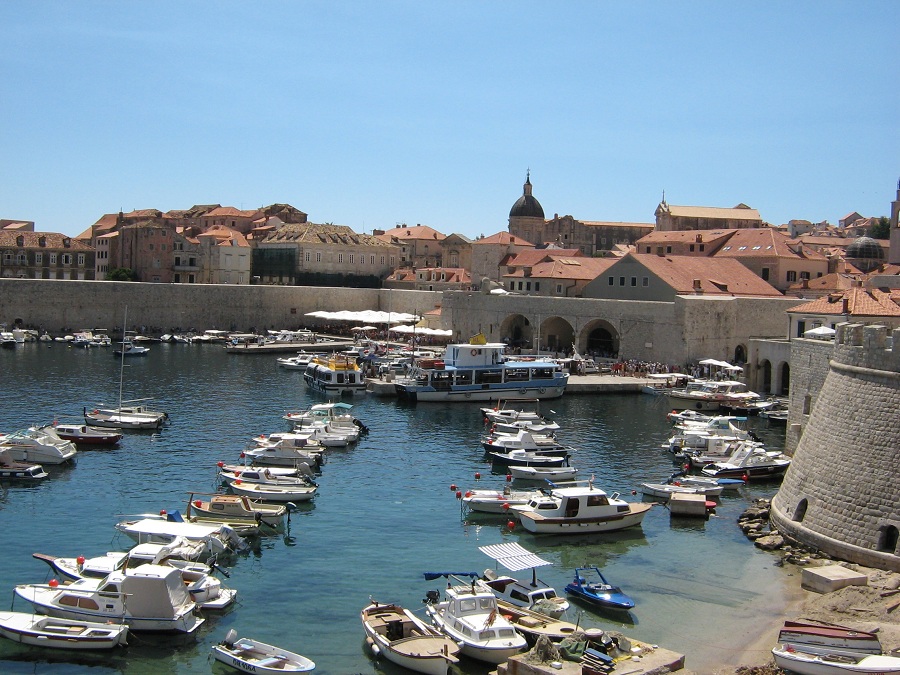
column 385, row 512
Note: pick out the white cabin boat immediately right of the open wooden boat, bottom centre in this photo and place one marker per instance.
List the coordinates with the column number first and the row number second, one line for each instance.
column 469, row 615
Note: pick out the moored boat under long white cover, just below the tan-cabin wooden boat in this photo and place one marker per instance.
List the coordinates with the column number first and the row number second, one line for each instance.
column 167, row 528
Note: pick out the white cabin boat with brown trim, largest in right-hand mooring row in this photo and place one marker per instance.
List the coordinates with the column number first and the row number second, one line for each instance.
column 582, row 509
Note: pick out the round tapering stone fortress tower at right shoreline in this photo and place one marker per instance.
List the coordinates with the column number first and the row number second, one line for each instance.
column 840, row 494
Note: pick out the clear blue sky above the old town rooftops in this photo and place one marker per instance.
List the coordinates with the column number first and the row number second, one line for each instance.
column 374, row 114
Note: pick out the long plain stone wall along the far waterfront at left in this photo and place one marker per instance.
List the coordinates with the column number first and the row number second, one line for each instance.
column 53, row 305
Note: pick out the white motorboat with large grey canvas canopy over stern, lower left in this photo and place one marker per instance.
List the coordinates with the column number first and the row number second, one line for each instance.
column 149, row 597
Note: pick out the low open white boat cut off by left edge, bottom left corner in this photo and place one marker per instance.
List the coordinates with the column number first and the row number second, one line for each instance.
column 47, row 631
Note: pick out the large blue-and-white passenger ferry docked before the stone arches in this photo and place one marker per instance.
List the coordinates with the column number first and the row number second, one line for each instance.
column 480, row 371
